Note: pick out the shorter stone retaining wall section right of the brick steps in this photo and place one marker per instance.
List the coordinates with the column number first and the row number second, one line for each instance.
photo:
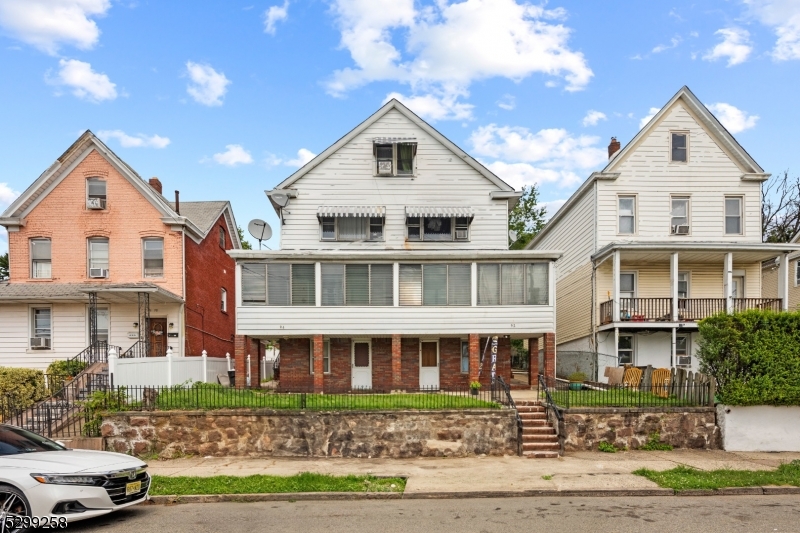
column 682, row 427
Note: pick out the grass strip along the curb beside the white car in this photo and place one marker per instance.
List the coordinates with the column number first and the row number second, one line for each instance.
column 261, row 484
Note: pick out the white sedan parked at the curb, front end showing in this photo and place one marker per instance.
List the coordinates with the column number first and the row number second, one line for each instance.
column 42, row 480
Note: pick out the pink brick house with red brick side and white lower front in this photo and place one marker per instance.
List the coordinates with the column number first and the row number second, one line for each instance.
column 98, row 255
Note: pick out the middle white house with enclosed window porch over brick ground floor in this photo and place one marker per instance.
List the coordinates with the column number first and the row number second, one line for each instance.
column 394, row 266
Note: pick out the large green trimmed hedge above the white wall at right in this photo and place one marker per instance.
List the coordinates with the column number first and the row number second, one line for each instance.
column 754, row 357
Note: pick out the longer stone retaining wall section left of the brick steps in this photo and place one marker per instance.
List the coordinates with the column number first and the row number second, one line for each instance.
column 263, row 433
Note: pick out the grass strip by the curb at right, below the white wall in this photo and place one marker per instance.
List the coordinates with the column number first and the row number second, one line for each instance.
column 686, row 478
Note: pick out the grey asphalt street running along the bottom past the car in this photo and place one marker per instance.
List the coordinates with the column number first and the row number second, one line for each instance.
column 706, row 514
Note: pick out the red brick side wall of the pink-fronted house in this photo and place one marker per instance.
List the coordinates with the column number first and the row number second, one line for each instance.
column 208, row 270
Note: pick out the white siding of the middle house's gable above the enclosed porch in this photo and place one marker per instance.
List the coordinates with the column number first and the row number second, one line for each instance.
column 442, row 179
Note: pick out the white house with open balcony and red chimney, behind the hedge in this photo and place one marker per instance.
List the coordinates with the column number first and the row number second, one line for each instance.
column 668, row 233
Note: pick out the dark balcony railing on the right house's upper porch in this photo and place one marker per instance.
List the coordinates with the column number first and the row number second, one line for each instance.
column 689, row 309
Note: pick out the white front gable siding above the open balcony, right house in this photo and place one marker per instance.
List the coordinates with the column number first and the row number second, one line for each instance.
column 707, row 178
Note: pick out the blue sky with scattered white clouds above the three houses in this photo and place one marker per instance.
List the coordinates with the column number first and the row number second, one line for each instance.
column 225, row 99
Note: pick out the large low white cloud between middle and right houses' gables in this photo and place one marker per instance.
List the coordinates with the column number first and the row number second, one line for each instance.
column 547, row 156
